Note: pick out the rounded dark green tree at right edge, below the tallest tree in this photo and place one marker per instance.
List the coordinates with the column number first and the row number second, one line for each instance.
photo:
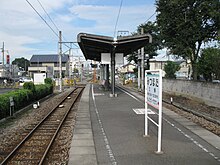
column 209, row 64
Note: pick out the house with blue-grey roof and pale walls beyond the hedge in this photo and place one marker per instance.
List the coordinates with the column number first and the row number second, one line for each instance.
column 48, row 64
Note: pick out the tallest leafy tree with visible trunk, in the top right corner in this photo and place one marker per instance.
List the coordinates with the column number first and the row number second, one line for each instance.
column 186, row 24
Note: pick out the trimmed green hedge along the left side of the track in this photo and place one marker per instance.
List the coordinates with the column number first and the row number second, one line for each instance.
column 23, row 97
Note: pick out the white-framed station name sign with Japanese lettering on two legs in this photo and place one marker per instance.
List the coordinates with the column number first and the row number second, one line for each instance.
column 153, row 97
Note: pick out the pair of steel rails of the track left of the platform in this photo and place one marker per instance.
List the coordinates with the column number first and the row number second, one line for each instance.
column 9, row 157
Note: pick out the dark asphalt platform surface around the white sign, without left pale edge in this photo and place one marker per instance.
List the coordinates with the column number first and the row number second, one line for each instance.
column 118, row 135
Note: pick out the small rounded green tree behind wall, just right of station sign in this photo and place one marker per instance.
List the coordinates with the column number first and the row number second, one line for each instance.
column 171, row 68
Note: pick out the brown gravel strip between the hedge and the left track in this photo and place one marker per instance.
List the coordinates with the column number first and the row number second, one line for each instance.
column 12, row 130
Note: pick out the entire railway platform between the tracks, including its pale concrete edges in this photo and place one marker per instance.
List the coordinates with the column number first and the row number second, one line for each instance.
column 109, row 131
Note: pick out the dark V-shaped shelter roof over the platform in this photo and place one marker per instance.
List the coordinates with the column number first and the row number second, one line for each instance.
column 93, row 45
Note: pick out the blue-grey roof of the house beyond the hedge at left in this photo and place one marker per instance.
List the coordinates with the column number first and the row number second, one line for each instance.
column 48, row 58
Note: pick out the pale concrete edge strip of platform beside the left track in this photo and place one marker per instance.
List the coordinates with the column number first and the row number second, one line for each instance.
column 82, row 151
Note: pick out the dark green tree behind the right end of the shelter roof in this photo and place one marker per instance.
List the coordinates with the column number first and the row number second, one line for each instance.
column 150, row 49
